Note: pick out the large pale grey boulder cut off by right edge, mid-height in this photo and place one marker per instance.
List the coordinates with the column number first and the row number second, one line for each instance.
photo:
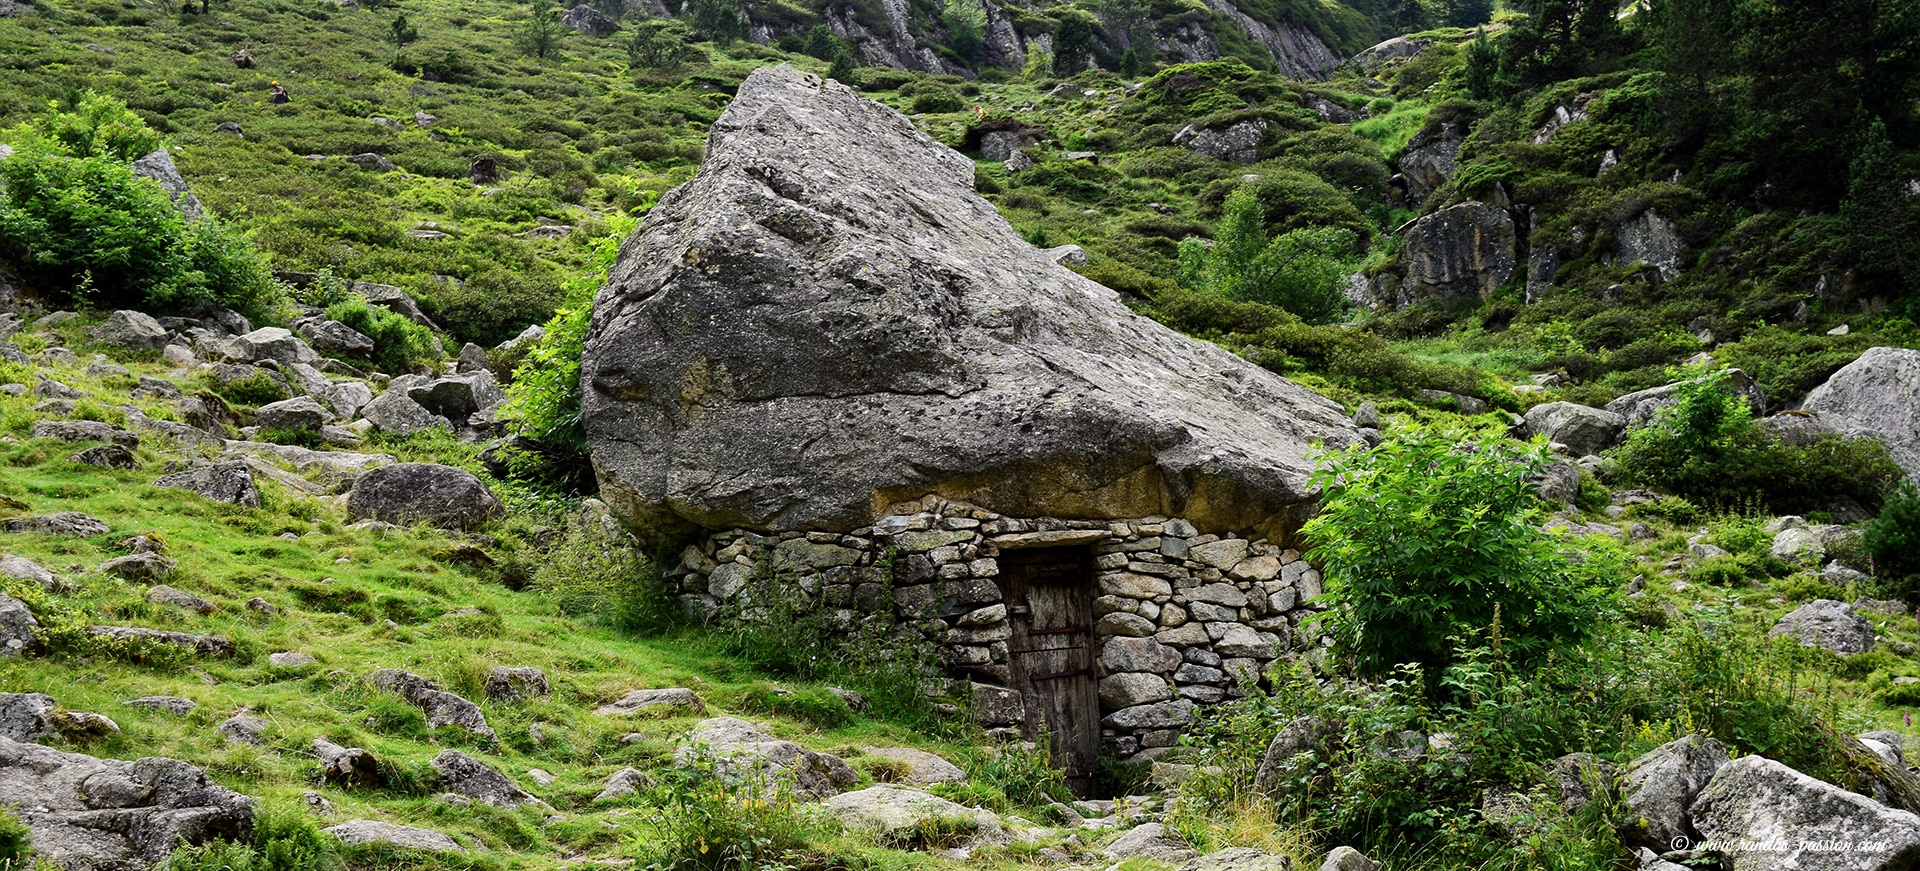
column 1879, row 394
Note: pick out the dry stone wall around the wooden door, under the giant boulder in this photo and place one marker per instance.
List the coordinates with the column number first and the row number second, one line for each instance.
column 1182, row 617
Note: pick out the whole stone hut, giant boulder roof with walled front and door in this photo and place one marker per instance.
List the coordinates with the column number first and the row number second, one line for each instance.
column 827, row 365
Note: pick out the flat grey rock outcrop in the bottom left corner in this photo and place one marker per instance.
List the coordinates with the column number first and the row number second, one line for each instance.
column 112, row 814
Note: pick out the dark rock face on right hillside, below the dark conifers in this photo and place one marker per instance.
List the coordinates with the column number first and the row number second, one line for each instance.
column 1460, row 252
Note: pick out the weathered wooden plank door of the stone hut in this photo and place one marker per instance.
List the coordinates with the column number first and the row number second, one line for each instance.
column 1049, row 601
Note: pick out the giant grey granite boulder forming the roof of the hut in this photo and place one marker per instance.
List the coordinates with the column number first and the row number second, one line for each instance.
column 828, row 319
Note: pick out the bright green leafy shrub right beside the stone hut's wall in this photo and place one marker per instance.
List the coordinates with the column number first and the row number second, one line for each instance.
column 1431, row 538
